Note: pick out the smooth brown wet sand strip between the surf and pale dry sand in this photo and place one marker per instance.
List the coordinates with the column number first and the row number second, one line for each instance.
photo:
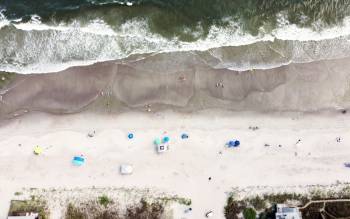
column 185, row 84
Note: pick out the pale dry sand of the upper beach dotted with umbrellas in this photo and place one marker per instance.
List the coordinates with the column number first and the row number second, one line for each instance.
column 269, row 156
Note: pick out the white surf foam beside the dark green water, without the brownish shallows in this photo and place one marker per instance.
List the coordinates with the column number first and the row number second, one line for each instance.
column 78, row 44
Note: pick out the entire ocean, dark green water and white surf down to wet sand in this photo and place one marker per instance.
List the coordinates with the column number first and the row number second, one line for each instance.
column 44, row 36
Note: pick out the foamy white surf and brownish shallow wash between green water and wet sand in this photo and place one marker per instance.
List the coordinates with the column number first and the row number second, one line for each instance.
column 38, row 47
